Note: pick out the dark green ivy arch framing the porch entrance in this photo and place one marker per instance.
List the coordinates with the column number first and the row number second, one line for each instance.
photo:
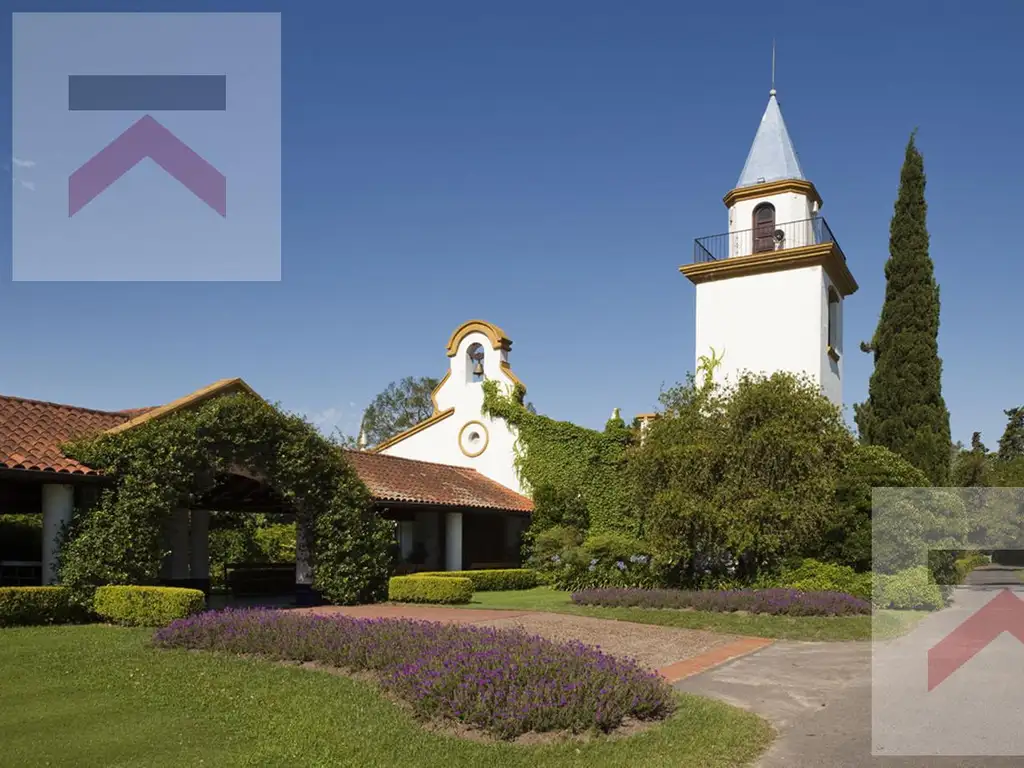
column 169, row 463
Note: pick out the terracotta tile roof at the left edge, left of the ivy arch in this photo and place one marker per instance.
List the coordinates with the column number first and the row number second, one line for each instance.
column 32, row 433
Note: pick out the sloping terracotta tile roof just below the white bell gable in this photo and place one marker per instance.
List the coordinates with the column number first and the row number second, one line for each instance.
column 393, row 480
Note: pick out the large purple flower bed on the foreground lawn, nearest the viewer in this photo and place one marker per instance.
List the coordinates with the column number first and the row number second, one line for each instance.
column 502, row 681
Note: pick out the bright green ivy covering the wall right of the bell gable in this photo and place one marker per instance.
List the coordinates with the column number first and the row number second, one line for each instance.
column 570, row 458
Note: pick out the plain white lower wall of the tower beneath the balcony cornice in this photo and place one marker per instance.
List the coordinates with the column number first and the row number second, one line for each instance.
column 767, row 323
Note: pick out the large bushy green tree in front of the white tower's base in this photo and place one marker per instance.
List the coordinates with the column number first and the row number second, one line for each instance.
column 737, row 481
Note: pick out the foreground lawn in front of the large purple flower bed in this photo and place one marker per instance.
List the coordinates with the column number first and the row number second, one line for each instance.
column 102, row 696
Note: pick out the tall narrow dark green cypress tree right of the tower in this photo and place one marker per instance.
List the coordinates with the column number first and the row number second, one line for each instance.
column 906, row 412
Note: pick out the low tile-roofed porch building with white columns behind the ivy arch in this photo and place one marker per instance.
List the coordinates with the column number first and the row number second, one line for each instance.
column 447, row 518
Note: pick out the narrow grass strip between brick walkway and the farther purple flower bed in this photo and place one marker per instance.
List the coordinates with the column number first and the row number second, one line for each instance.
column 887, row 624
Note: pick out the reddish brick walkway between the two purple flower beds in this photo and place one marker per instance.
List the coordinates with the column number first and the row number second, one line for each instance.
column 675, row 654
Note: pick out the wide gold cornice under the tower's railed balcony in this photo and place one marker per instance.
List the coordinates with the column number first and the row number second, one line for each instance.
column 826, row 255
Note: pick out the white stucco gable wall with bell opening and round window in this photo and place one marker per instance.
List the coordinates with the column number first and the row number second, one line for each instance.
column 440, row 443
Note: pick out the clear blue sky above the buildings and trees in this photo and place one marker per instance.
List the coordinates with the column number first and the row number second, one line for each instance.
column 546, row 167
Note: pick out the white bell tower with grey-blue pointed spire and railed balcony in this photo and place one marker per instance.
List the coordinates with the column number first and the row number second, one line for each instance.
column 771, row 290
